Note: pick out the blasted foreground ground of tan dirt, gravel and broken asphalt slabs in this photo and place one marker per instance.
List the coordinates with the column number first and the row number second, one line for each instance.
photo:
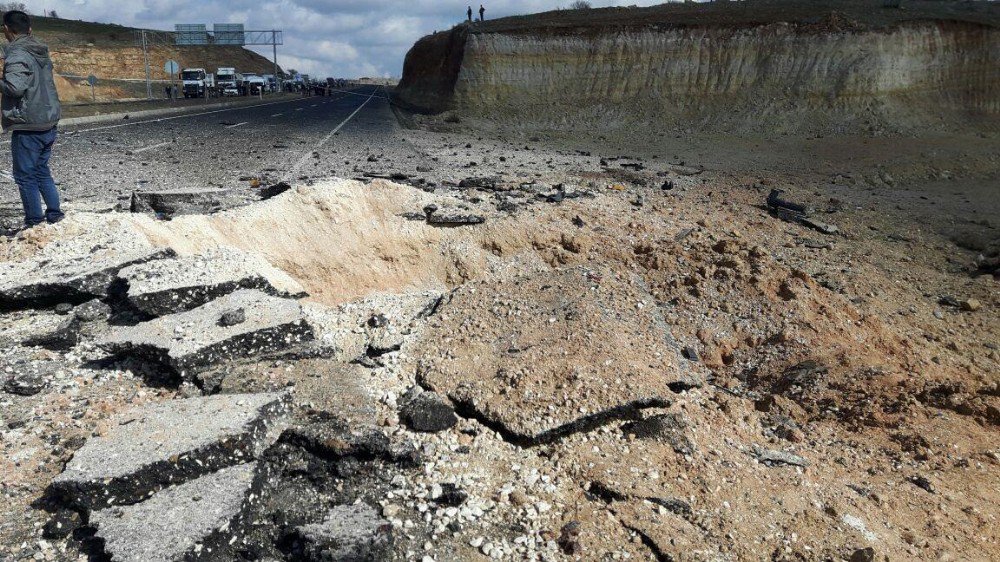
column 514, row 348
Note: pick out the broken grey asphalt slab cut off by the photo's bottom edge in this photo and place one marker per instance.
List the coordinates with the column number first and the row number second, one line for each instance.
column 198, row 520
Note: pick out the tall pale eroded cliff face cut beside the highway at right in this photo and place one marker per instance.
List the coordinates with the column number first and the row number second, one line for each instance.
column 775, row 78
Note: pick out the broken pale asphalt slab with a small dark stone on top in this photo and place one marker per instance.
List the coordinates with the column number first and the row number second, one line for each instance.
column 194, row 339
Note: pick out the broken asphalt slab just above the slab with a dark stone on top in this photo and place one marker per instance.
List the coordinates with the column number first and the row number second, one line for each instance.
column 169, row 286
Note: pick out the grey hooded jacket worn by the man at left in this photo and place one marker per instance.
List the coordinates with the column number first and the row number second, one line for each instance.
column 30, row 101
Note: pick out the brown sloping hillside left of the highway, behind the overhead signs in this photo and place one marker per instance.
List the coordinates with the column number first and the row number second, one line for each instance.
column 108, row 51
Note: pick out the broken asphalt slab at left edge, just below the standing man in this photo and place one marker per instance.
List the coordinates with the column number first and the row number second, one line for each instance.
column 74, row 279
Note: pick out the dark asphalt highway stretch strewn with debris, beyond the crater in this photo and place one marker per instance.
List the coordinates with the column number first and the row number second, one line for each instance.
column 288, row 139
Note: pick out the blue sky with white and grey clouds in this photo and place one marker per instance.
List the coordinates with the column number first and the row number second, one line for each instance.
column 342, row 38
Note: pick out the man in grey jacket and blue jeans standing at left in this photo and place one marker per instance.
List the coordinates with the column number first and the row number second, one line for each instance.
column 31, row 112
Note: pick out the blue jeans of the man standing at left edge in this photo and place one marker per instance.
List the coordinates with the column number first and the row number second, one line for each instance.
column 31, row 151
